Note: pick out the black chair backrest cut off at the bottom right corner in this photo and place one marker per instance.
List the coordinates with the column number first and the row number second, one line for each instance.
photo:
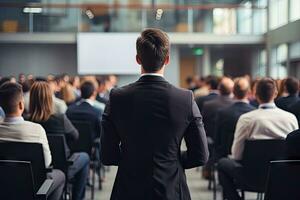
column 283, row 180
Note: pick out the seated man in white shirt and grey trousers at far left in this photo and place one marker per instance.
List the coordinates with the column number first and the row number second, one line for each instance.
column 15, row 128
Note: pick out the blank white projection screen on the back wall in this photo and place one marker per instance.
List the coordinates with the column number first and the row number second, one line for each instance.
column 103, row 53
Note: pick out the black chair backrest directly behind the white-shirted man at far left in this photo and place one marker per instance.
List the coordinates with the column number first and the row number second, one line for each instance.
column 32, row 152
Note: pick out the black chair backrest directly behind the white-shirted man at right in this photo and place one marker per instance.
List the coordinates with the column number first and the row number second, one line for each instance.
column 256, row 157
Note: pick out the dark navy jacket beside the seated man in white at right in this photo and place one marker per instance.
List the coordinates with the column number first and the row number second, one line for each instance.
column 225, row 126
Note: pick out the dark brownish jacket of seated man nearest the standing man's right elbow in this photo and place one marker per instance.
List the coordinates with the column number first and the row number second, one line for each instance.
column 210, row 110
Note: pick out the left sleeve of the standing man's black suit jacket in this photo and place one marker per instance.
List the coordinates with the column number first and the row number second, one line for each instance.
column 110, row 140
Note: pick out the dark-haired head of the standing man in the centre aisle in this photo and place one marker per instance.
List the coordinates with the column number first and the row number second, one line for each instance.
column 152, row 49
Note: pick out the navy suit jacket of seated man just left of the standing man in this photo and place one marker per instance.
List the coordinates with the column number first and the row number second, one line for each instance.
column 83, row 111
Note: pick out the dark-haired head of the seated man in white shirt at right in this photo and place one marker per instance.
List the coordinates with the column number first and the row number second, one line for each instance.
column 266, row 89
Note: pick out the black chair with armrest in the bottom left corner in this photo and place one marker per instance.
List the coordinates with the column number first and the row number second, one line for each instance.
column 17, row 182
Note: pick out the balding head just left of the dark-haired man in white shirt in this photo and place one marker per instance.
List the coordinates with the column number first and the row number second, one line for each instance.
column 241, row 88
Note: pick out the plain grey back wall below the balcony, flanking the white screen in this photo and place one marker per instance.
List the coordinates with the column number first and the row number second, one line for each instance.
column 44, row 59
